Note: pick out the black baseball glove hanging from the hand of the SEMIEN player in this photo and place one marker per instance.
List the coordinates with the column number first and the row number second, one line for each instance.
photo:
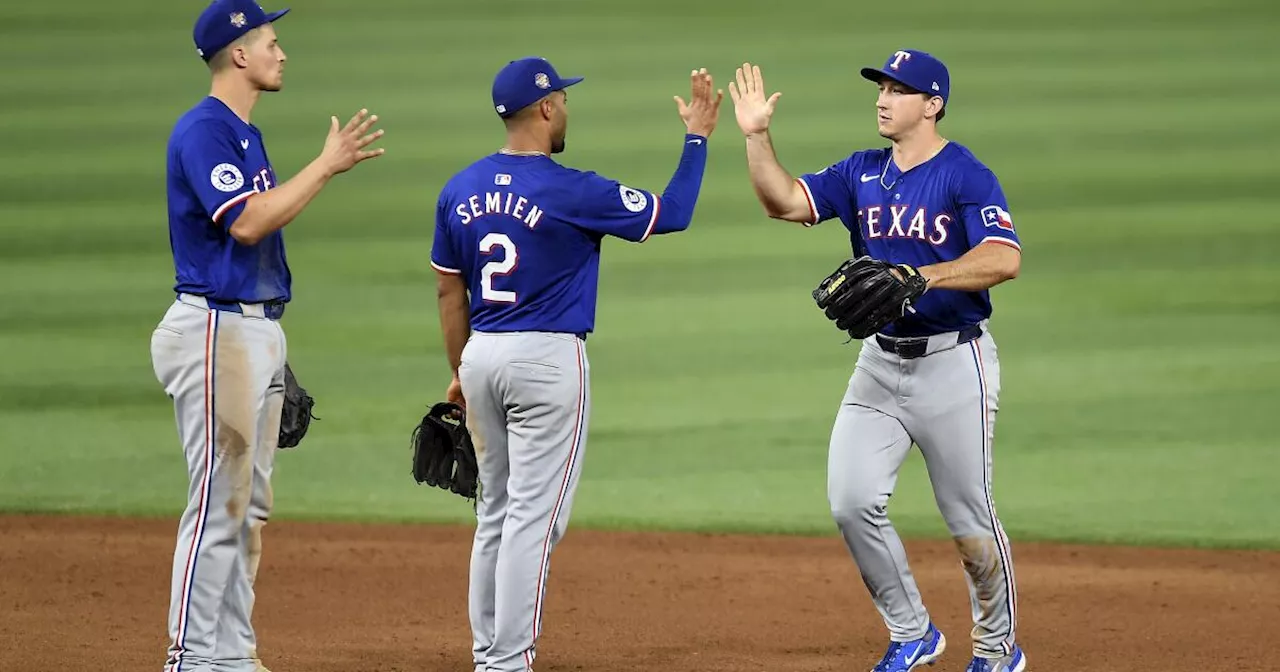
column 444, row 454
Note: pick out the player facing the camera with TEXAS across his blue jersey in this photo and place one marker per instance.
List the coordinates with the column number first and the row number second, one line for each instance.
column 930, row 378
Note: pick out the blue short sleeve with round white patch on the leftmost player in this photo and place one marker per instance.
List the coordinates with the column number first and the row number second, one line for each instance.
column 214, row 166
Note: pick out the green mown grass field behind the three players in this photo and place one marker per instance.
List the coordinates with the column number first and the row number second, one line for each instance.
column 1139, row 348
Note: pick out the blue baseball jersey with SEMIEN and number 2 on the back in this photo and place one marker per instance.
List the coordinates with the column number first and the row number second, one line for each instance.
column 525, row 235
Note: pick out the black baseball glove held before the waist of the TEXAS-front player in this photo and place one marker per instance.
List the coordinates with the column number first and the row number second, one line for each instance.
column 865, row 295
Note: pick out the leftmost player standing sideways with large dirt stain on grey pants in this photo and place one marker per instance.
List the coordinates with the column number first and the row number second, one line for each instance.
column 220, row 350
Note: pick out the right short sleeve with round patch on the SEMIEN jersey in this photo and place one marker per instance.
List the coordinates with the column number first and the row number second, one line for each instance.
column 610, row 208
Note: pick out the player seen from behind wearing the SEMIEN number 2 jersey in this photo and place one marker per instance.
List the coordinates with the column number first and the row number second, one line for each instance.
column 518, row 253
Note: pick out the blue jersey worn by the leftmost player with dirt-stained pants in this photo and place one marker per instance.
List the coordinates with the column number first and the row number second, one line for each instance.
column 217, row 162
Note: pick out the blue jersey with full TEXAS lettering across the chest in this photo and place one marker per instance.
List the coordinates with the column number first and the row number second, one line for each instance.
column 934, row 213
